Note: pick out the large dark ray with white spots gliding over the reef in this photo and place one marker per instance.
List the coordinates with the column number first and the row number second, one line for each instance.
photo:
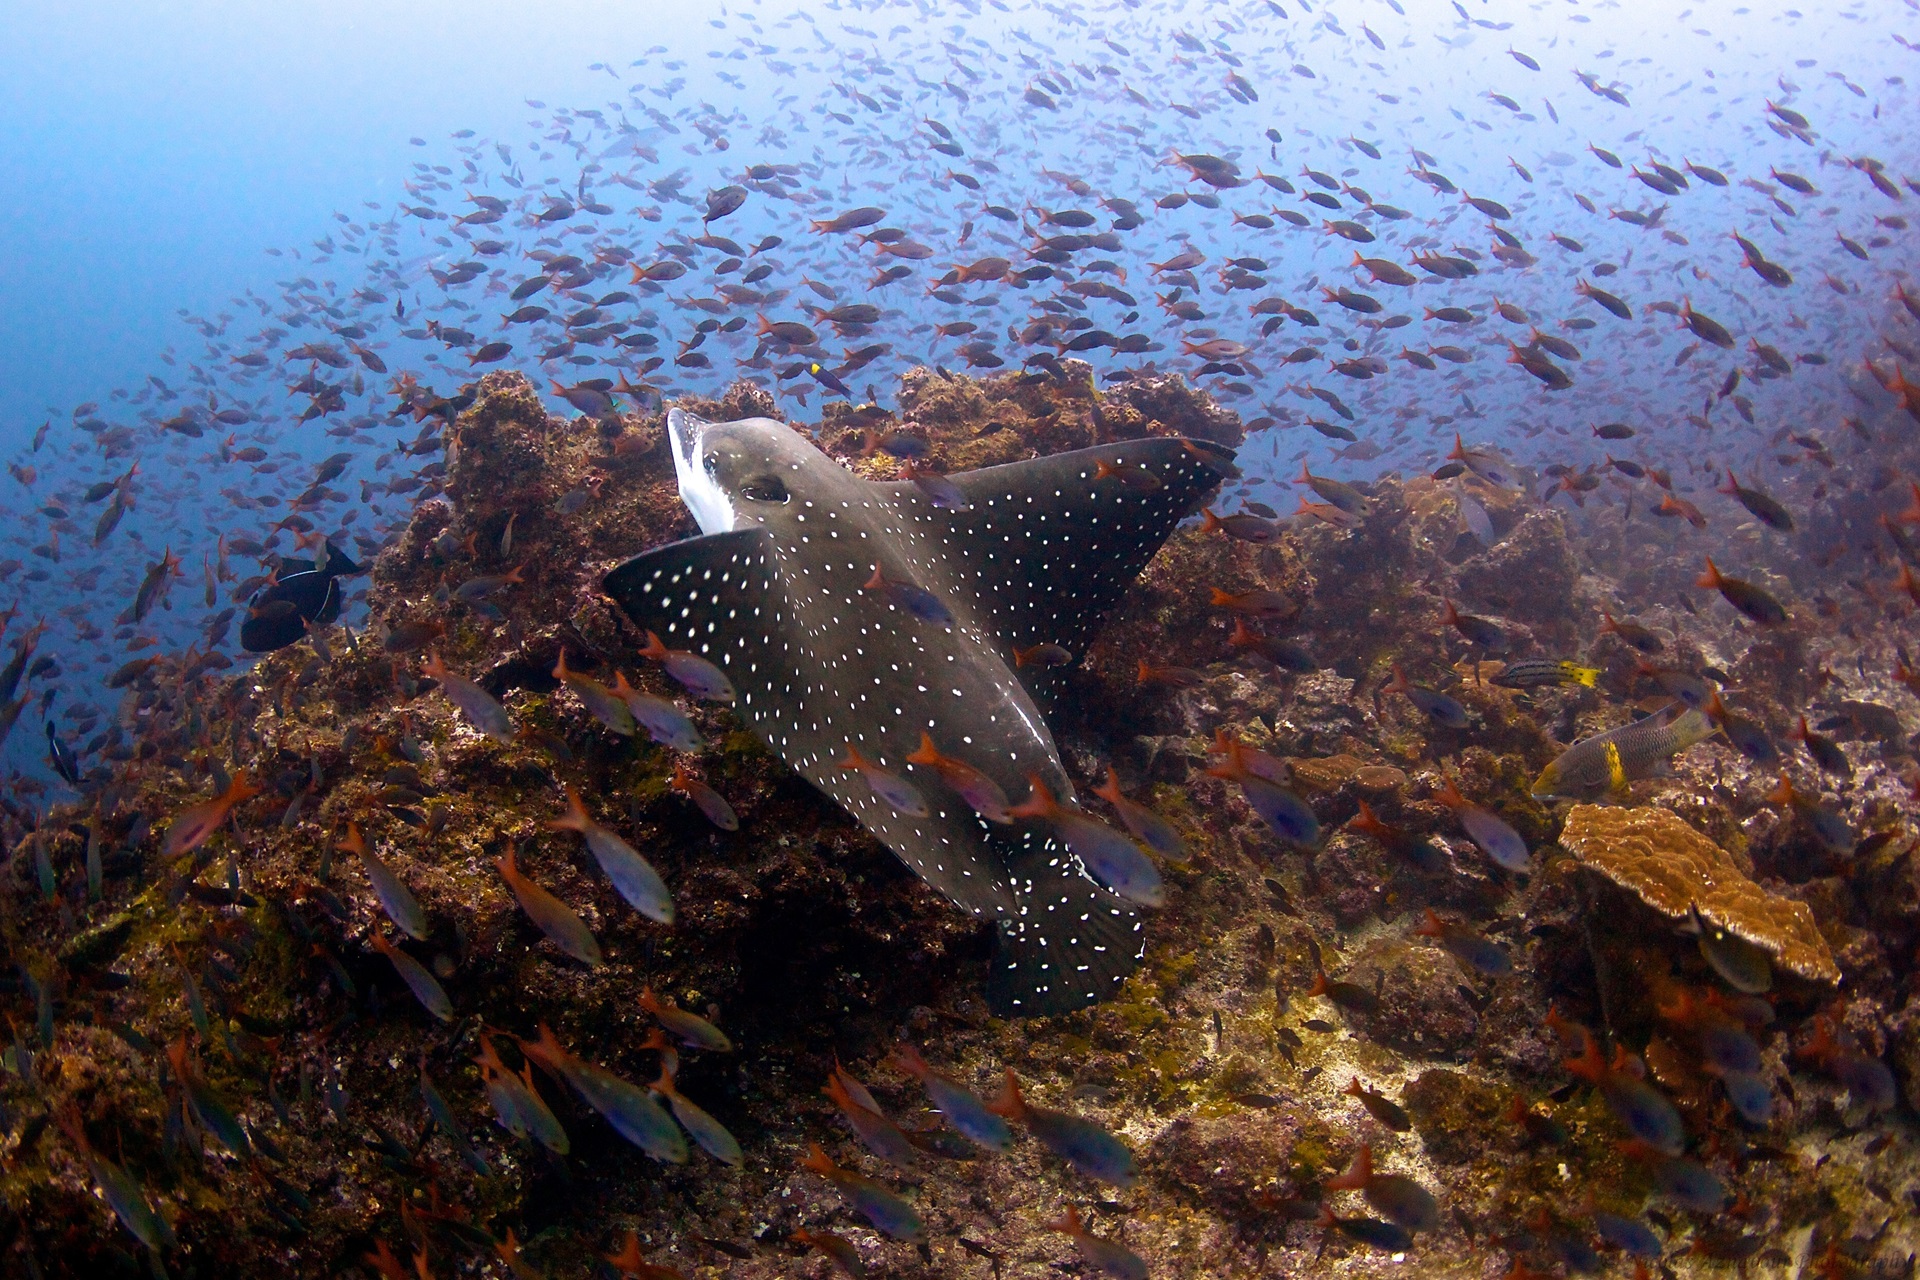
column 777, row 594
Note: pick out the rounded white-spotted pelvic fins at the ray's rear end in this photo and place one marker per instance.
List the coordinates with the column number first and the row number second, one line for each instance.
column 1067, row 943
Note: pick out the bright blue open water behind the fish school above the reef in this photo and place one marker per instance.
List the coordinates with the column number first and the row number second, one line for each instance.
column 199, row 183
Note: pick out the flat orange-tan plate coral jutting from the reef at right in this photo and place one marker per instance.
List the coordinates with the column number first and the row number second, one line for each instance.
column 1673, row 868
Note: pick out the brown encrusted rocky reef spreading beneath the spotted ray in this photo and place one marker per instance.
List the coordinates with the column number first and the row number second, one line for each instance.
column 1278, row 978
